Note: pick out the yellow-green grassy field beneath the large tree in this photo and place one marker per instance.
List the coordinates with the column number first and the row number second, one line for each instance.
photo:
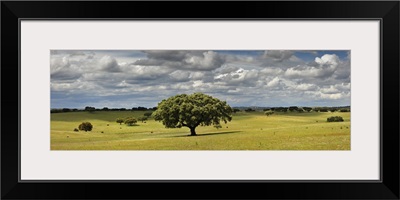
column 247, row 131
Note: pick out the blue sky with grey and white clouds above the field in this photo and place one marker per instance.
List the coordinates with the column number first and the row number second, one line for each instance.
column 132, row 78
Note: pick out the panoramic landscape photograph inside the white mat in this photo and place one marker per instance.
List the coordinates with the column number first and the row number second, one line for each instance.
column 200, row 99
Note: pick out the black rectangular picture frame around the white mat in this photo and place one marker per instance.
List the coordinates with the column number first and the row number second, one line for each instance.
column 386, row 11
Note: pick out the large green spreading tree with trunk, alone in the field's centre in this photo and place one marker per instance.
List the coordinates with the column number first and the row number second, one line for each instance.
column 191, row 111
